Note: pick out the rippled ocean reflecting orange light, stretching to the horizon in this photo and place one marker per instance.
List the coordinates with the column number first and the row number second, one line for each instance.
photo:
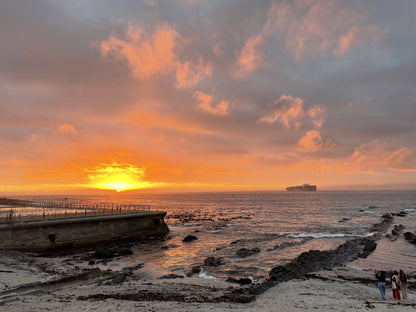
column 251, row 232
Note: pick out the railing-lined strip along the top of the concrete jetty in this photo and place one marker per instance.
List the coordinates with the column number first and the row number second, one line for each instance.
column 57, row 210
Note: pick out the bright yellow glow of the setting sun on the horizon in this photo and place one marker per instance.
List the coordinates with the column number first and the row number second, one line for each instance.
column 117, row 177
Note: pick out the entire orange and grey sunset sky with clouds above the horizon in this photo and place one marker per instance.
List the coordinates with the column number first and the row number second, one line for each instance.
column 202, row 95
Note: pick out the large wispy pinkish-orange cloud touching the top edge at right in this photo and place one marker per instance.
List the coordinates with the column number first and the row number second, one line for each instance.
column 309, row 28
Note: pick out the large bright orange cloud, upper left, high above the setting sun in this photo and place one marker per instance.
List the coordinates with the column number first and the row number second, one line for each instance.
column 151, row 54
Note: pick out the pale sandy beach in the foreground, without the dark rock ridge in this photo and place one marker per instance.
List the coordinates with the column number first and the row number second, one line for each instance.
column 68, row 283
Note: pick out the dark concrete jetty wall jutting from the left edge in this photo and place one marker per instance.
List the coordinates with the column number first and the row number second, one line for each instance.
column 74, row 232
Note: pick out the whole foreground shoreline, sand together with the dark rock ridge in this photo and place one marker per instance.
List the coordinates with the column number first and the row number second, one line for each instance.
column 50, row 284
